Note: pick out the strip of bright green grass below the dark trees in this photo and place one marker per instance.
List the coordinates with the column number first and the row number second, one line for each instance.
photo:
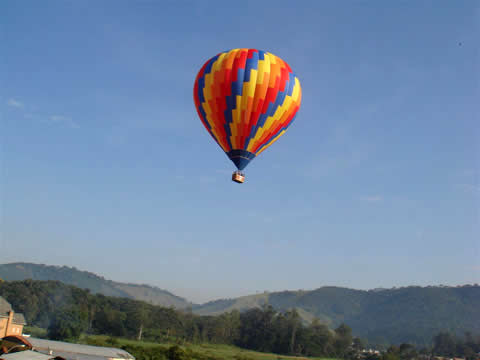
column 206, row 350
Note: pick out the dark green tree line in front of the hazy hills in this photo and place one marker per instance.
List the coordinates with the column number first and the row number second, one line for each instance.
column 67, row 311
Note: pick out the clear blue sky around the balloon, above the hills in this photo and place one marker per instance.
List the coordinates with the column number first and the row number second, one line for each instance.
column 106, row 166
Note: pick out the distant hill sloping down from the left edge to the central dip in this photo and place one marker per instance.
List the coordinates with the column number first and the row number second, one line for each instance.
column 96, row 284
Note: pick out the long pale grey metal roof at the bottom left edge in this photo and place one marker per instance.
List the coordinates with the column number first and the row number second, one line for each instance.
column 77, row 351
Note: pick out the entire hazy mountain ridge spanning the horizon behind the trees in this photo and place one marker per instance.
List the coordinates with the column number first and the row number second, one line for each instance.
column 410, row 314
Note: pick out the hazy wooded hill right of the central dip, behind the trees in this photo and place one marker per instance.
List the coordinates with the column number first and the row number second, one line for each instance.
column 410, row 314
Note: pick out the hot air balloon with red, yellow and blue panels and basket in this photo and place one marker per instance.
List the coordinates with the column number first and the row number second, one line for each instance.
column 246, row 99
